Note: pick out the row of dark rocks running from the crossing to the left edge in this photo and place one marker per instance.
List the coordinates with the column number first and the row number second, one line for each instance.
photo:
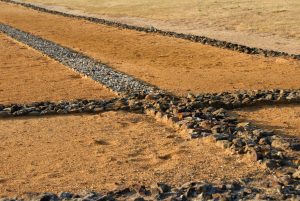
column 70, row 107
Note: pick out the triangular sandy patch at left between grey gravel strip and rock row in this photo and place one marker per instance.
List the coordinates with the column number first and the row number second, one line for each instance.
column 28, row 76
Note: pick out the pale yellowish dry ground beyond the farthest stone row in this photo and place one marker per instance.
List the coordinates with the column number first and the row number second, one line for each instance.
column 260, row 23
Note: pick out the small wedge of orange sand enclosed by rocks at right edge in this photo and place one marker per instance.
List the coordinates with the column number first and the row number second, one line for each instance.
column 285, row 120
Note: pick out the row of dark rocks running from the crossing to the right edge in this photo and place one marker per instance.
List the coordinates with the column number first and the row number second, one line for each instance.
column 244, row 98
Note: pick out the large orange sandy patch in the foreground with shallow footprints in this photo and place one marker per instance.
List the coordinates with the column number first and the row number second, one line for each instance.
column 102, row 152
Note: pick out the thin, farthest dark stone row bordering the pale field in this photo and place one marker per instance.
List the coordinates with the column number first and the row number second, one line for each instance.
column 199, row 39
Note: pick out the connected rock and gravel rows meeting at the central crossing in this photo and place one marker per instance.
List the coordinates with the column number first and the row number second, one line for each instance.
column 200, row 116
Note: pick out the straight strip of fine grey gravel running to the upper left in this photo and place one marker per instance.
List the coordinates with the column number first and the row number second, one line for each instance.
column 115, row 80
